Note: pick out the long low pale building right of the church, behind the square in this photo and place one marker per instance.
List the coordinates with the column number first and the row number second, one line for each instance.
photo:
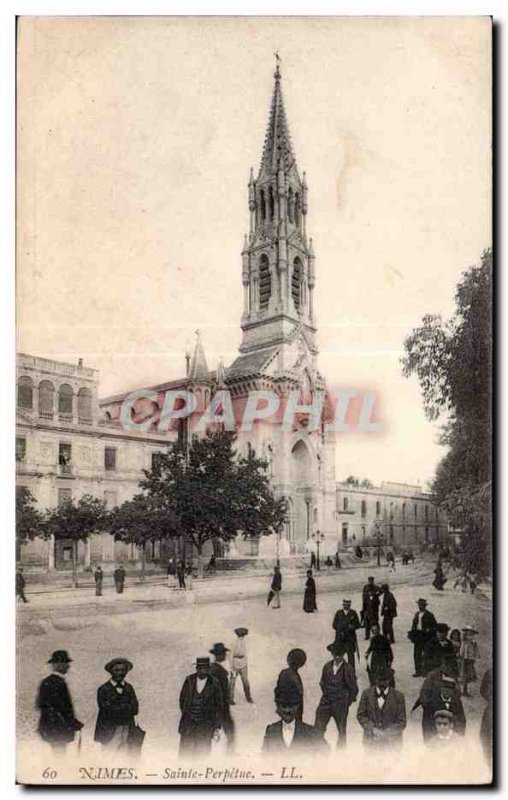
column 402, row 515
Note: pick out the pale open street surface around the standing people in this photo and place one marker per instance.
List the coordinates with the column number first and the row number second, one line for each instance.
column 165, row 630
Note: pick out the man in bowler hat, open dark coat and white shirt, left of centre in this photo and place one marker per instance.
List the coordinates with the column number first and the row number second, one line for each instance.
column 201, row 707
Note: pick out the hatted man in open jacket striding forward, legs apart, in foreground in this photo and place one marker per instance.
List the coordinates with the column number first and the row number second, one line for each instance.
column 339, row 689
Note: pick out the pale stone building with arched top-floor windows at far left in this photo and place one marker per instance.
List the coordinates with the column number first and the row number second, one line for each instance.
column 63, row 451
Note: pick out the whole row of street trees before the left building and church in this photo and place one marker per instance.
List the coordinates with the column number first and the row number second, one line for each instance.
column 205, row 493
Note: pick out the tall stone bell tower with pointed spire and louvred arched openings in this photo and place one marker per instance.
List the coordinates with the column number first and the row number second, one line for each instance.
column 277, row 259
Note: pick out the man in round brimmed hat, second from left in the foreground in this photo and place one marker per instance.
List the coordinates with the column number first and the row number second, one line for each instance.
column 118, row 707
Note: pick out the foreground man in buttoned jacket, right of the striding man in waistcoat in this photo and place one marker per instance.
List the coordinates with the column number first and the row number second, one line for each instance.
column 382, row 712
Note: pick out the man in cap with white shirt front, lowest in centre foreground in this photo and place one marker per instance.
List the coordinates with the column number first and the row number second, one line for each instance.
column 291, row 733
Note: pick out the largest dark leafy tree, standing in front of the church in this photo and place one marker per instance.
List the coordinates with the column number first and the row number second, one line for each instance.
column 212, row 493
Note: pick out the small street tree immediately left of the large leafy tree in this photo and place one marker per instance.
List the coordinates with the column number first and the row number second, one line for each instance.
column 139, row 521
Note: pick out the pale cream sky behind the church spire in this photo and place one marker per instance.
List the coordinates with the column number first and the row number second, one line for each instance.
column 135, row 141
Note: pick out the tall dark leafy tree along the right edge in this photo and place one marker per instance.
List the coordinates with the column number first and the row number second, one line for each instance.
column 452, row 360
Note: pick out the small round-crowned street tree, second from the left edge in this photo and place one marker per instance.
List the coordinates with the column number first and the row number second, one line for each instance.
column 76, row 521
